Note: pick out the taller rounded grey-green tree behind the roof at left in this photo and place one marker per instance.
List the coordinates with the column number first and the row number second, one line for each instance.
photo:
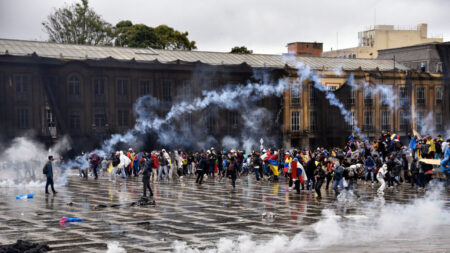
column 78, row 24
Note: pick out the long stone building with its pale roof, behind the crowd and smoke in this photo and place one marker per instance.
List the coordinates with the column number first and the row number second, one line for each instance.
column 89, row 92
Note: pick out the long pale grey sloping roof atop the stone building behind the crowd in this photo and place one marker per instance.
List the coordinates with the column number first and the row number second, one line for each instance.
column 85, row 52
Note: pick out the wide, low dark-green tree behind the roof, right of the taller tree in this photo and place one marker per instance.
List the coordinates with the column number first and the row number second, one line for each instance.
column 160, row 37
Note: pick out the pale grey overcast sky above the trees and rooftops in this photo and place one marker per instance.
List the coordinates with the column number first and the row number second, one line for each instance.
column 265, row 26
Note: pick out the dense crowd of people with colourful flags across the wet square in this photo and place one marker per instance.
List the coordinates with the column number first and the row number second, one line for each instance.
column 384, row 161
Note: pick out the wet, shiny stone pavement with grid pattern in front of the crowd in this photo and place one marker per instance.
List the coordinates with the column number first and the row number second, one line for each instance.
column 184, row 211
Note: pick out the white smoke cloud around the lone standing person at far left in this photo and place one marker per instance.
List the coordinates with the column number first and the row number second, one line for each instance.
column 22, row 161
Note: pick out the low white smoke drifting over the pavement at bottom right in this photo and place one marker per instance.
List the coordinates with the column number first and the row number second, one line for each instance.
column 376, row 222
